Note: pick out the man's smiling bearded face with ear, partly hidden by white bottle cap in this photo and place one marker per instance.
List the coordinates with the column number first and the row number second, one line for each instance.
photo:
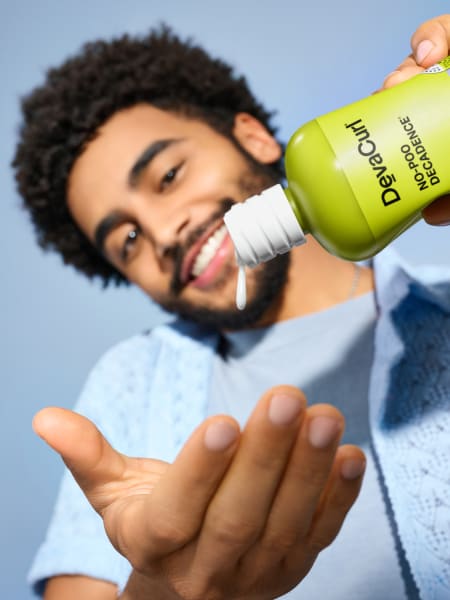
column 150, row 192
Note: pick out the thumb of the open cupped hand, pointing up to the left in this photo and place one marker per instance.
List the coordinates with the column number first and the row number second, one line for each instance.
column 91, row 459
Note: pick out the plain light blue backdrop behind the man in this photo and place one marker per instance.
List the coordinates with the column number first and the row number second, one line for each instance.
column 302, row 59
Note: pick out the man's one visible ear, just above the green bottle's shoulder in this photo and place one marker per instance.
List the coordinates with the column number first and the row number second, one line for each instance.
column 253, row 136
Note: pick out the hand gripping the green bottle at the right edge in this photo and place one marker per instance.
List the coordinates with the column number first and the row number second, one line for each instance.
column 430, row 43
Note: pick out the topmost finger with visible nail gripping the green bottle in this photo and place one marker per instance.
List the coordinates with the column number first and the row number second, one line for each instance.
column 430, row 43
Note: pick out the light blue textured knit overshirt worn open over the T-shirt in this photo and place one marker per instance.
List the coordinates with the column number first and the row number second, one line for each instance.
column 148, row 393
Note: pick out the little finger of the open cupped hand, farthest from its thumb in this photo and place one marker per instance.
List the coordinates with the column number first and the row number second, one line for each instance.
column 339, row 496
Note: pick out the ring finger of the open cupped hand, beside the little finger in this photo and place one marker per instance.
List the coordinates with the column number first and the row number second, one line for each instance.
column 305, row 478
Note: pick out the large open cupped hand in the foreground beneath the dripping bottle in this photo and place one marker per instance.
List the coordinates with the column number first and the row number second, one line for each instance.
column 238, row 514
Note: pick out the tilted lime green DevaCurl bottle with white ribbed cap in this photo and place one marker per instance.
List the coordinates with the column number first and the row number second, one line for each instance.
column 357, row 177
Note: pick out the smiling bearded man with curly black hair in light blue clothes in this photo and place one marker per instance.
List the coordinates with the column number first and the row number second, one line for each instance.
column 129, row 157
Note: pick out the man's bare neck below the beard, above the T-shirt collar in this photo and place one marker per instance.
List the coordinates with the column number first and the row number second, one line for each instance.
column 316, row 281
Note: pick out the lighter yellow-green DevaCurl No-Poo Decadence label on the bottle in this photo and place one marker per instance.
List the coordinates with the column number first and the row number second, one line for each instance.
column 393, row 150
